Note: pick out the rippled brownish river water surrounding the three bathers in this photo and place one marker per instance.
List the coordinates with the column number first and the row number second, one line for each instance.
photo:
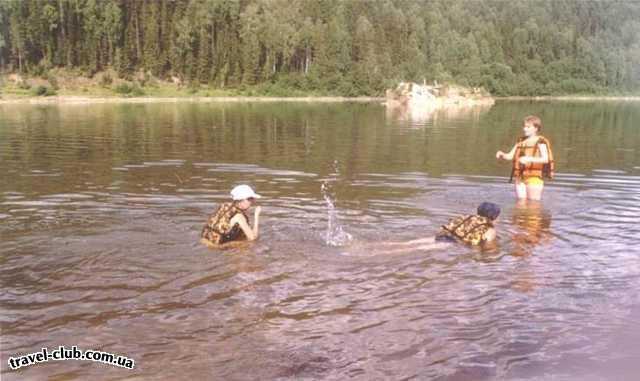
column 101, row 208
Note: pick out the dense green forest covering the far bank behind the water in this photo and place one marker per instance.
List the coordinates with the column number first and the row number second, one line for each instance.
column 346, row 47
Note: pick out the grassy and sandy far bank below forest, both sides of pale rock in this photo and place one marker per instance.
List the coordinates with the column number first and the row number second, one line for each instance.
column 73, row 86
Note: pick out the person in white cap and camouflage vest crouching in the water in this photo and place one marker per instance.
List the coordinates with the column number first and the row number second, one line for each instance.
column 230, row 222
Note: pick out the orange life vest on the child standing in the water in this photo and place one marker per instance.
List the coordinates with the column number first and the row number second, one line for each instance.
column 532, row 169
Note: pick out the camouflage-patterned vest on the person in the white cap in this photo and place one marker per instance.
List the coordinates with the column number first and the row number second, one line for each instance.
column 218, row 228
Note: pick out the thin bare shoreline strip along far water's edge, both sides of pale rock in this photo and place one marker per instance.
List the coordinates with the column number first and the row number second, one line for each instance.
column 77, row 99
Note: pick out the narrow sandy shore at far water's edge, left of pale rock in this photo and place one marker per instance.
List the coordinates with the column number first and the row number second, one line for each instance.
column 69, row 99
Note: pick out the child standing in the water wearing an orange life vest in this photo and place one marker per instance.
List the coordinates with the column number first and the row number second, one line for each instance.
column 531, row 159
